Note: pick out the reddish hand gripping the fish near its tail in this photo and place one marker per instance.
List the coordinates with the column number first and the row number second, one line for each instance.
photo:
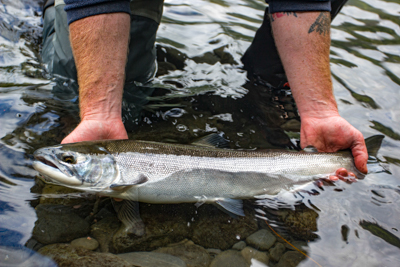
column 333, row 133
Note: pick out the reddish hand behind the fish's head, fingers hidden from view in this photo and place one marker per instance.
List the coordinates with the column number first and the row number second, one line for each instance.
column 90, row 130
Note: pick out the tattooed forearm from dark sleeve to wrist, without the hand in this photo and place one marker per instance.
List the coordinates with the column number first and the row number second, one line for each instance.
column 303, row 43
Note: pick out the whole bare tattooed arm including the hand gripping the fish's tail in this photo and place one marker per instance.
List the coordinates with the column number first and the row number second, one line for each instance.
column 303, row 43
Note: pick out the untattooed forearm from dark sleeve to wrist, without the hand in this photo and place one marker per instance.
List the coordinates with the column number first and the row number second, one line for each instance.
column 100, row 45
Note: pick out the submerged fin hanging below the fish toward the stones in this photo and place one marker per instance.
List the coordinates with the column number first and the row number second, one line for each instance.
column 128, row 214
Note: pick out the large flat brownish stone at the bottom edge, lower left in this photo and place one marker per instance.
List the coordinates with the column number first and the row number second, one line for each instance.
column 66, row 255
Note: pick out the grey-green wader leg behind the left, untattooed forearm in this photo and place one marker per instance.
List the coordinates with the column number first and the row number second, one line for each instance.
column 141, row 65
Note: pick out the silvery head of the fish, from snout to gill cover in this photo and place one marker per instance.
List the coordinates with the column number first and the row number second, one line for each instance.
column 80, row 165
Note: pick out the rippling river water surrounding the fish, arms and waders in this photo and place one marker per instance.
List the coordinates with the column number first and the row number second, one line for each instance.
column 201, row 88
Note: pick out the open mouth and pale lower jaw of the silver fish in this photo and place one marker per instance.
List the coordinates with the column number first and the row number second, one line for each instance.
column 50, row 170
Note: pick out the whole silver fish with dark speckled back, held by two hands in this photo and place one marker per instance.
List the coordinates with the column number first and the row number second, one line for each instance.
column 155, row 172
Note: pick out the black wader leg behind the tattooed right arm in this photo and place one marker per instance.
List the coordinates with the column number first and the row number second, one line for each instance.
column 262, row 60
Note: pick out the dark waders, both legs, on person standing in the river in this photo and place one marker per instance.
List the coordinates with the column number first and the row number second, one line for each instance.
column 261, row 59
